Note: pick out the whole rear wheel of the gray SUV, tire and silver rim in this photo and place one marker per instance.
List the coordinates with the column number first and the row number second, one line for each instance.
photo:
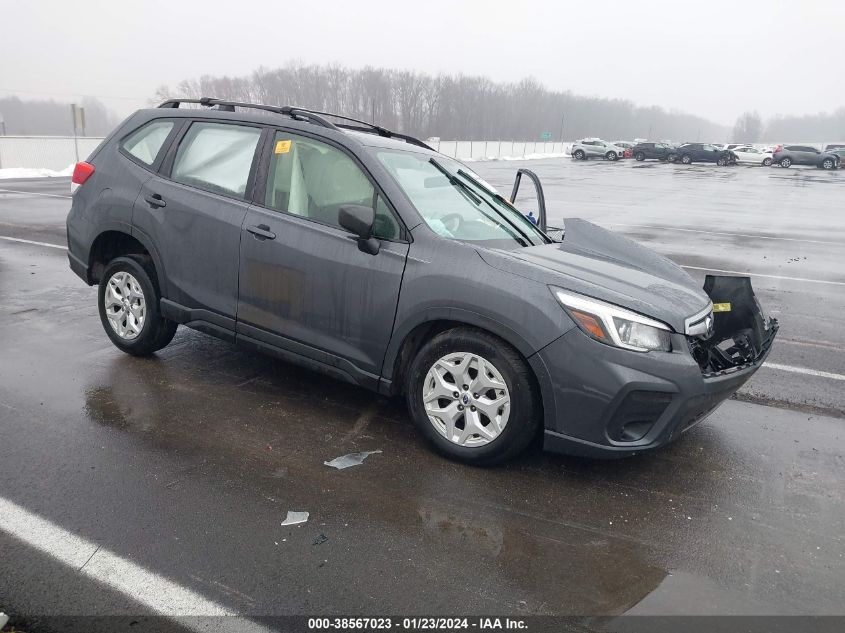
column 128, row 302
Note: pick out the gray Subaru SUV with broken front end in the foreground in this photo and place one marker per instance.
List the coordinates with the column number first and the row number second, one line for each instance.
column 364, row 254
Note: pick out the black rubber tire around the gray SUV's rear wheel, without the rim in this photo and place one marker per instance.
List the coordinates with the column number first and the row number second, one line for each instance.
column 156, row 331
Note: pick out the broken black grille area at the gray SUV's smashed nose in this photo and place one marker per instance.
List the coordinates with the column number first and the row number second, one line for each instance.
column 736, row 335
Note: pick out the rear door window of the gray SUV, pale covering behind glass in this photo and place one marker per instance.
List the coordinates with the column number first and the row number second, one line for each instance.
column 216, row 157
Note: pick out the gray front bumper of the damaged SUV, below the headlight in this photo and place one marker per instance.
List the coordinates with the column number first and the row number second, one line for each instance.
column 610, row 402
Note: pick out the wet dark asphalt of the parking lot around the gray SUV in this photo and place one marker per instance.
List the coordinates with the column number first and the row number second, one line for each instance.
column 186, row 463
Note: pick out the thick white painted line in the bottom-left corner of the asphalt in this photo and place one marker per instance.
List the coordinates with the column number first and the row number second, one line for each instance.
column 140, row 585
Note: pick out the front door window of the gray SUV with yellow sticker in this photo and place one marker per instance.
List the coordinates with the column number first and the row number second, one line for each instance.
column 311, row 179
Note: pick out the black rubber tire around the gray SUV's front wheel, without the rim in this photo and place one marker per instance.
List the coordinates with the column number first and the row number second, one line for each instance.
column 525, row 412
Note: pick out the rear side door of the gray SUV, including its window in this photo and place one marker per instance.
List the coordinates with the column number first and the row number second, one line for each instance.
column 193, row 211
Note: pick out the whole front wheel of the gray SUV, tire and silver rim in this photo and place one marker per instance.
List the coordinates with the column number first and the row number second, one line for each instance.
column 473, row 396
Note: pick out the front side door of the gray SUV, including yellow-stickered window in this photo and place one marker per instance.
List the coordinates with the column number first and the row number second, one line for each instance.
column 305, row 285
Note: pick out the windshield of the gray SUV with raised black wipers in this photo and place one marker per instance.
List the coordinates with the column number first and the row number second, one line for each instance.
column 458, row 204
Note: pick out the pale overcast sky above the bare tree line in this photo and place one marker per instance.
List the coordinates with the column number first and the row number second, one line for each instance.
column 715, row 58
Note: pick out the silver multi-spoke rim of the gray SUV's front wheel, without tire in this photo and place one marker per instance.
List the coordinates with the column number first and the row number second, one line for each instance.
column 466, row 399
